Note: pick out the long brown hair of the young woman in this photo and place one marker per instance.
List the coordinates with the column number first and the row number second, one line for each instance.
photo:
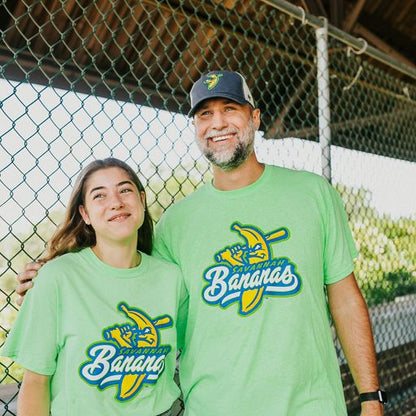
column 73, row 234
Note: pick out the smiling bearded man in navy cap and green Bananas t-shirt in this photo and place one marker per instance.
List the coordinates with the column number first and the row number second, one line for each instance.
column 257, row 247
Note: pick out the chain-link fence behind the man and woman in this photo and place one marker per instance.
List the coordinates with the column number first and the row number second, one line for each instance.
column 81, row 80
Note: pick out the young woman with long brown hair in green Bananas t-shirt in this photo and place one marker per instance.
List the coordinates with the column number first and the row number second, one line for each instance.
column 98, row 333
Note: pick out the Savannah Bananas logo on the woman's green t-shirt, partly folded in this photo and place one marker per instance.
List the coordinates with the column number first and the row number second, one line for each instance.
column 132, row 356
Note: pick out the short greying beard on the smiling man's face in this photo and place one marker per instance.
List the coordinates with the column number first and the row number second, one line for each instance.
column 241, row 152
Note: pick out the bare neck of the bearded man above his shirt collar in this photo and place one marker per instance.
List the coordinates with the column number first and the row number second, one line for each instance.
column 244, row 175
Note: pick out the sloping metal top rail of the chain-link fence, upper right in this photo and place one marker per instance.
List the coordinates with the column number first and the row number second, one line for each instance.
column 356, row 43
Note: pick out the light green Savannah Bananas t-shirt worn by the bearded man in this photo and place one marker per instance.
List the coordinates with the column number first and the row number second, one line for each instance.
column 255, row 262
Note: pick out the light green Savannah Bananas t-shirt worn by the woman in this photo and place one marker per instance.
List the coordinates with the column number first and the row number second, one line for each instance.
column 107, row 336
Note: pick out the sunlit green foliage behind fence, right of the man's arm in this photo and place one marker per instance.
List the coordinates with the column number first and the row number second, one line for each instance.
column 385, row 268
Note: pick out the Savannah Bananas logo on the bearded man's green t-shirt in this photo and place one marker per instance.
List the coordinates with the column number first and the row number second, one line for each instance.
column 245, row 273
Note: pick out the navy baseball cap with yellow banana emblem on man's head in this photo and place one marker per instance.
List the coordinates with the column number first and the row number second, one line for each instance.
column 220, row 84
